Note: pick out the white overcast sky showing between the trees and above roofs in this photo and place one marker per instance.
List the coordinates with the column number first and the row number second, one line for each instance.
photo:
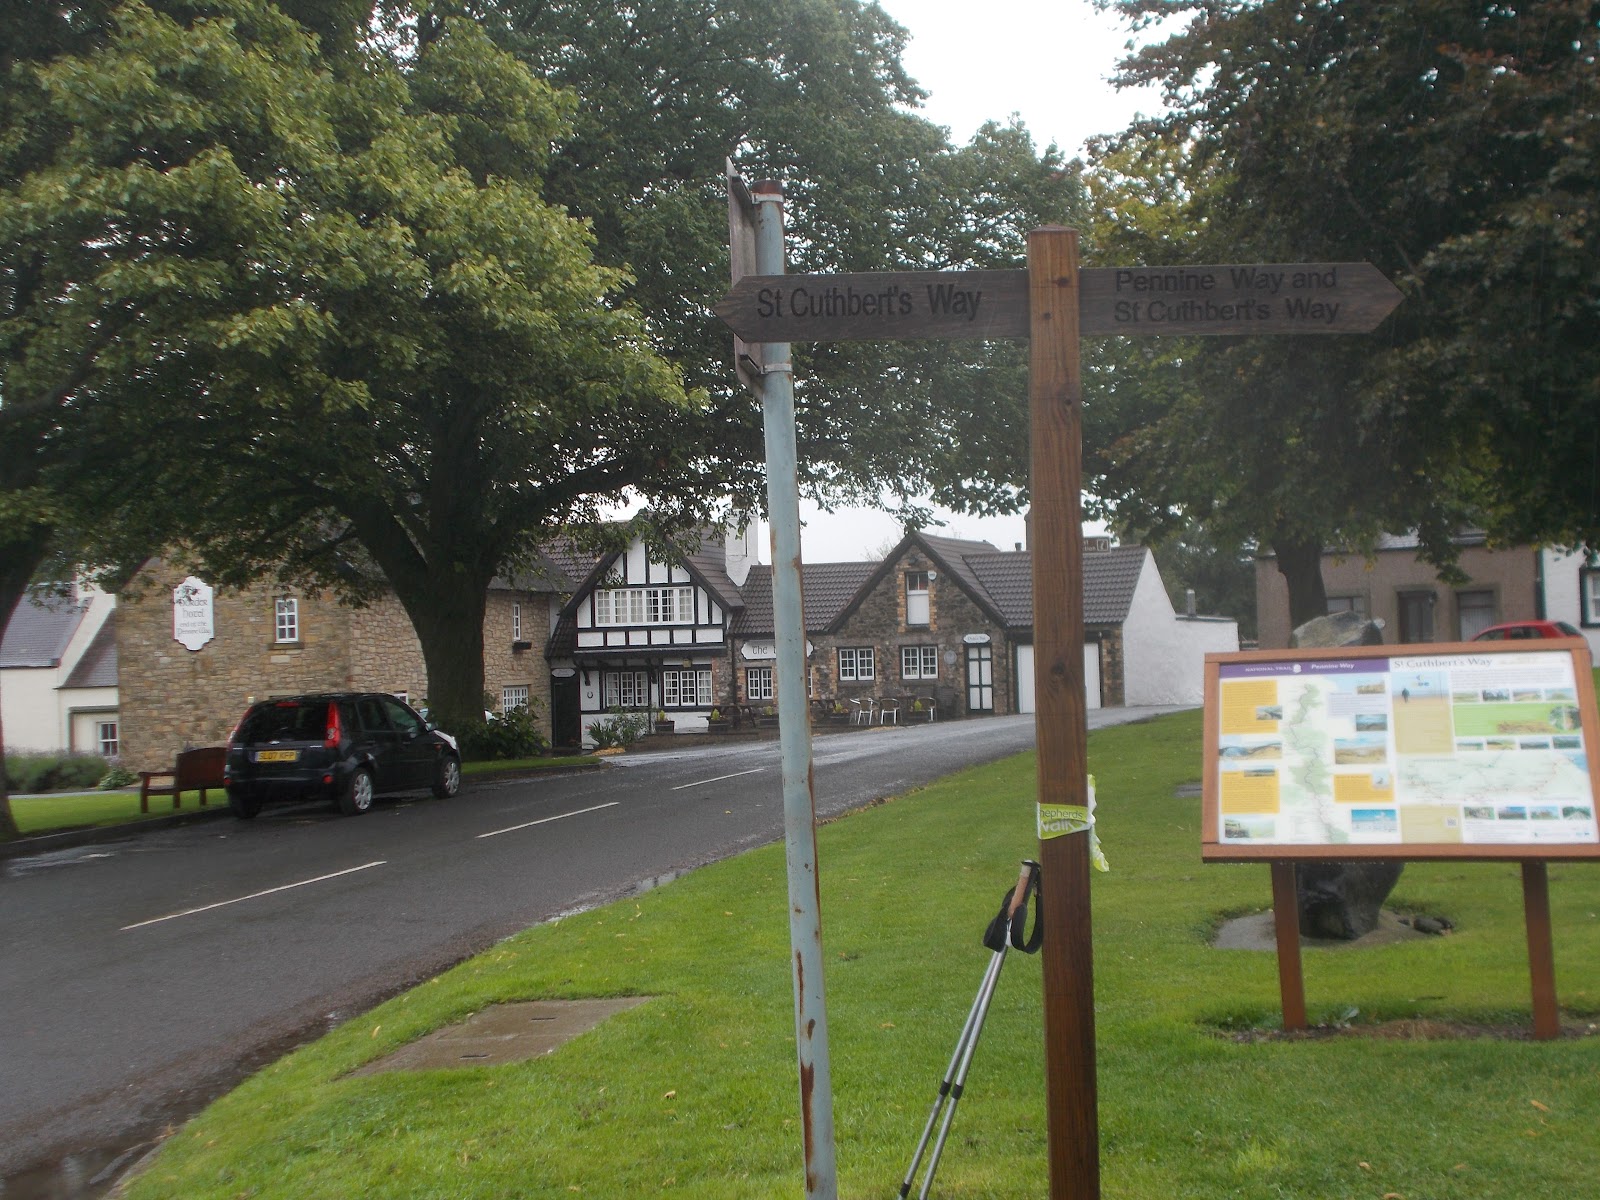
column 1046, row 60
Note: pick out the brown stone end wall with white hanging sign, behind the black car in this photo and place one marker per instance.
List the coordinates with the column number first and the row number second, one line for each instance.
column 175, row 698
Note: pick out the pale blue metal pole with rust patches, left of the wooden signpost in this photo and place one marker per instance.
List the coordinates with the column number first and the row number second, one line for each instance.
column 794, row 724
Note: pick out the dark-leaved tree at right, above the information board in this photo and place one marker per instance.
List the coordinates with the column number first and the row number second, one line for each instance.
column 1452, row 145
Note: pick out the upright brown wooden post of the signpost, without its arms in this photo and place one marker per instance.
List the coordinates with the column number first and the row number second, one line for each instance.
column 1057, row 474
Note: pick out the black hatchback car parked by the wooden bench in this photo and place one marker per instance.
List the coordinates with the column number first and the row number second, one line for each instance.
column 345, row 748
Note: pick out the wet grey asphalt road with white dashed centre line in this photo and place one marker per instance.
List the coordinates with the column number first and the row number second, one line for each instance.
column 145, row 975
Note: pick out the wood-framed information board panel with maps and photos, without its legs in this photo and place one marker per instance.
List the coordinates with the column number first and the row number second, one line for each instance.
column 1462, row 751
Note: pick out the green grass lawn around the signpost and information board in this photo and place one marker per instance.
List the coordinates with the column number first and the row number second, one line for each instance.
column 695, row 1094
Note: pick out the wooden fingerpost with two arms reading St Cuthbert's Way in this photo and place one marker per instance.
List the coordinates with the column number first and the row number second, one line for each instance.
column 1054, row 305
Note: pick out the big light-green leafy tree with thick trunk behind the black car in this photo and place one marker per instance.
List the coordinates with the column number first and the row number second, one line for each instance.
column 295, row 297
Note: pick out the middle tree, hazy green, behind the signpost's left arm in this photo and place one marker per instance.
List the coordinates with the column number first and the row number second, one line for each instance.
column 810, row 94
